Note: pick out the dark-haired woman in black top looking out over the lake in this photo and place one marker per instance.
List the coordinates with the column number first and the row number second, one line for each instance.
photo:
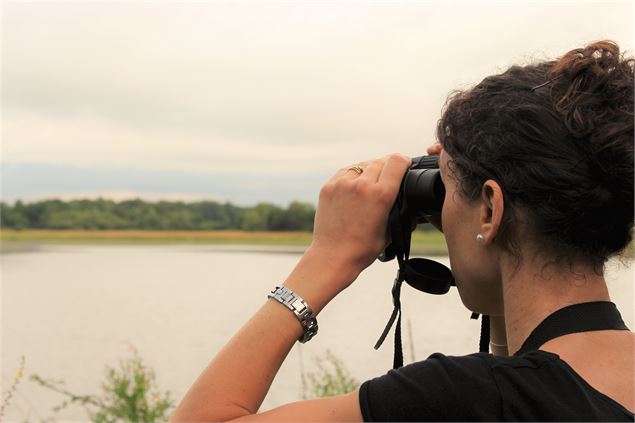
column 537, row 164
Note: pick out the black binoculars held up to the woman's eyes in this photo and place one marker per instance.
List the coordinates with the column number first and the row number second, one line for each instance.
column 420, row 199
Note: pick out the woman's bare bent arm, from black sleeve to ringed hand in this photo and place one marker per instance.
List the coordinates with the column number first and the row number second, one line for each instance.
column 349, row 233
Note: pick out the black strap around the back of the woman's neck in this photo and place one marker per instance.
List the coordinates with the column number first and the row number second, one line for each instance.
column 584, row 317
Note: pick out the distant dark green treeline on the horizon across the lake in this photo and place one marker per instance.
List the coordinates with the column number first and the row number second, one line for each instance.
column 163, row 215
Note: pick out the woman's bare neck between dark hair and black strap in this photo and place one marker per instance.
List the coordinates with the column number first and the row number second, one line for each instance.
column 530, row 296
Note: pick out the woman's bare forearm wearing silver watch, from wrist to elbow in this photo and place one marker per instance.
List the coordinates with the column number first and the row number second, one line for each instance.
column 237, row 380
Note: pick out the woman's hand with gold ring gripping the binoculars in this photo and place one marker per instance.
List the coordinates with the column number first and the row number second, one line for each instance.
column 352, row 214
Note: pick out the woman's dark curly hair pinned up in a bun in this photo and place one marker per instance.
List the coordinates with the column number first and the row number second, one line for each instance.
column 558, row 138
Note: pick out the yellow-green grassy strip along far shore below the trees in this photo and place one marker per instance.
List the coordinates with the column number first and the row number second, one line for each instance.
column 431, row 243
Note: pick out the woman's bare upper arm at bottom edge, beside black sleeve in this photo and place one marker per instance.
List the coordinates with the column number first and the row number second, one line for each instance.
column 341, row 408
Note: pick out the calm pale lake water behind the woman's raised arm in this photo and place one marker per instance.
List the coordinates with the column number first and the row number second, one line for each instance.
column 72, row 310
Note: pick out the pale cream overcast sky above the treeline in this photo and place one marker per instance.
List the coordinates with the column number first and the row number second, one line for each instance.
column 250, row 101
